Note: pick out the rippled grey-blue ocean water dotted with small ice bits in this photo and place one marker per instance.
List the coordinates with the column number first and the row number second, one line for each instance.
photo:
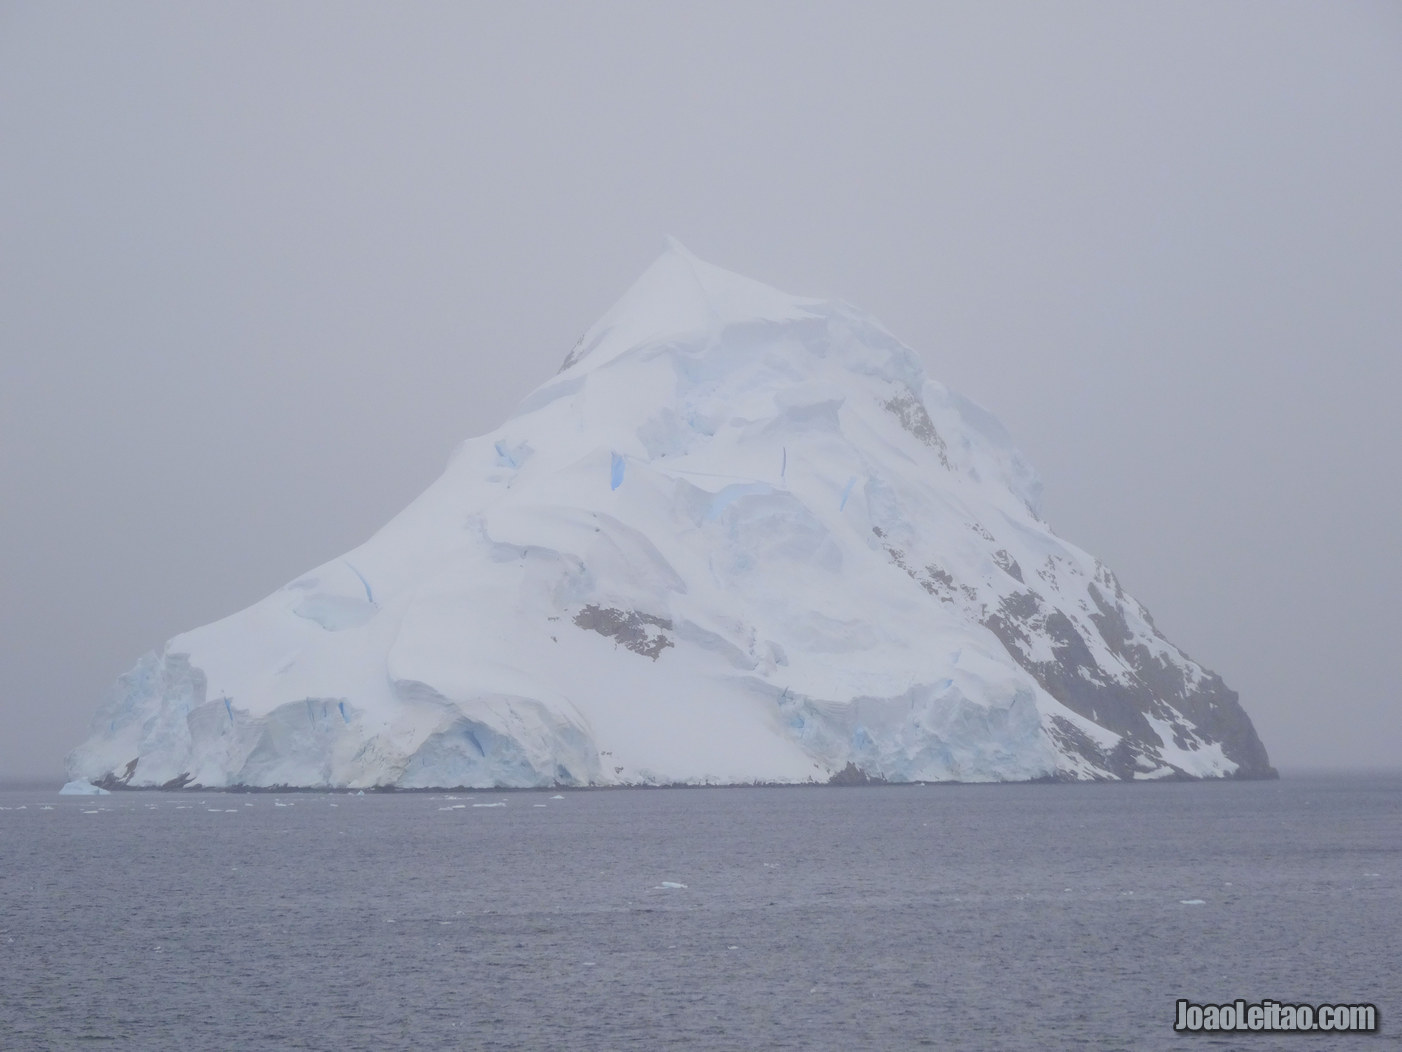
column 877, row 918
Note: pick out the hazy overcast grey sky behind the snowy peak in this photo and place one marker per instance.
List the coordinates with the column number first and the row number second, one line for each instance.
column 264, row 266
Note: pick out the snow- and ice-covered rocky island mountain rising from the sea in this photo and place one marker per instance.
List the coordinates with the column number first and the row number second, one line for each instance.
column 738, row 538
